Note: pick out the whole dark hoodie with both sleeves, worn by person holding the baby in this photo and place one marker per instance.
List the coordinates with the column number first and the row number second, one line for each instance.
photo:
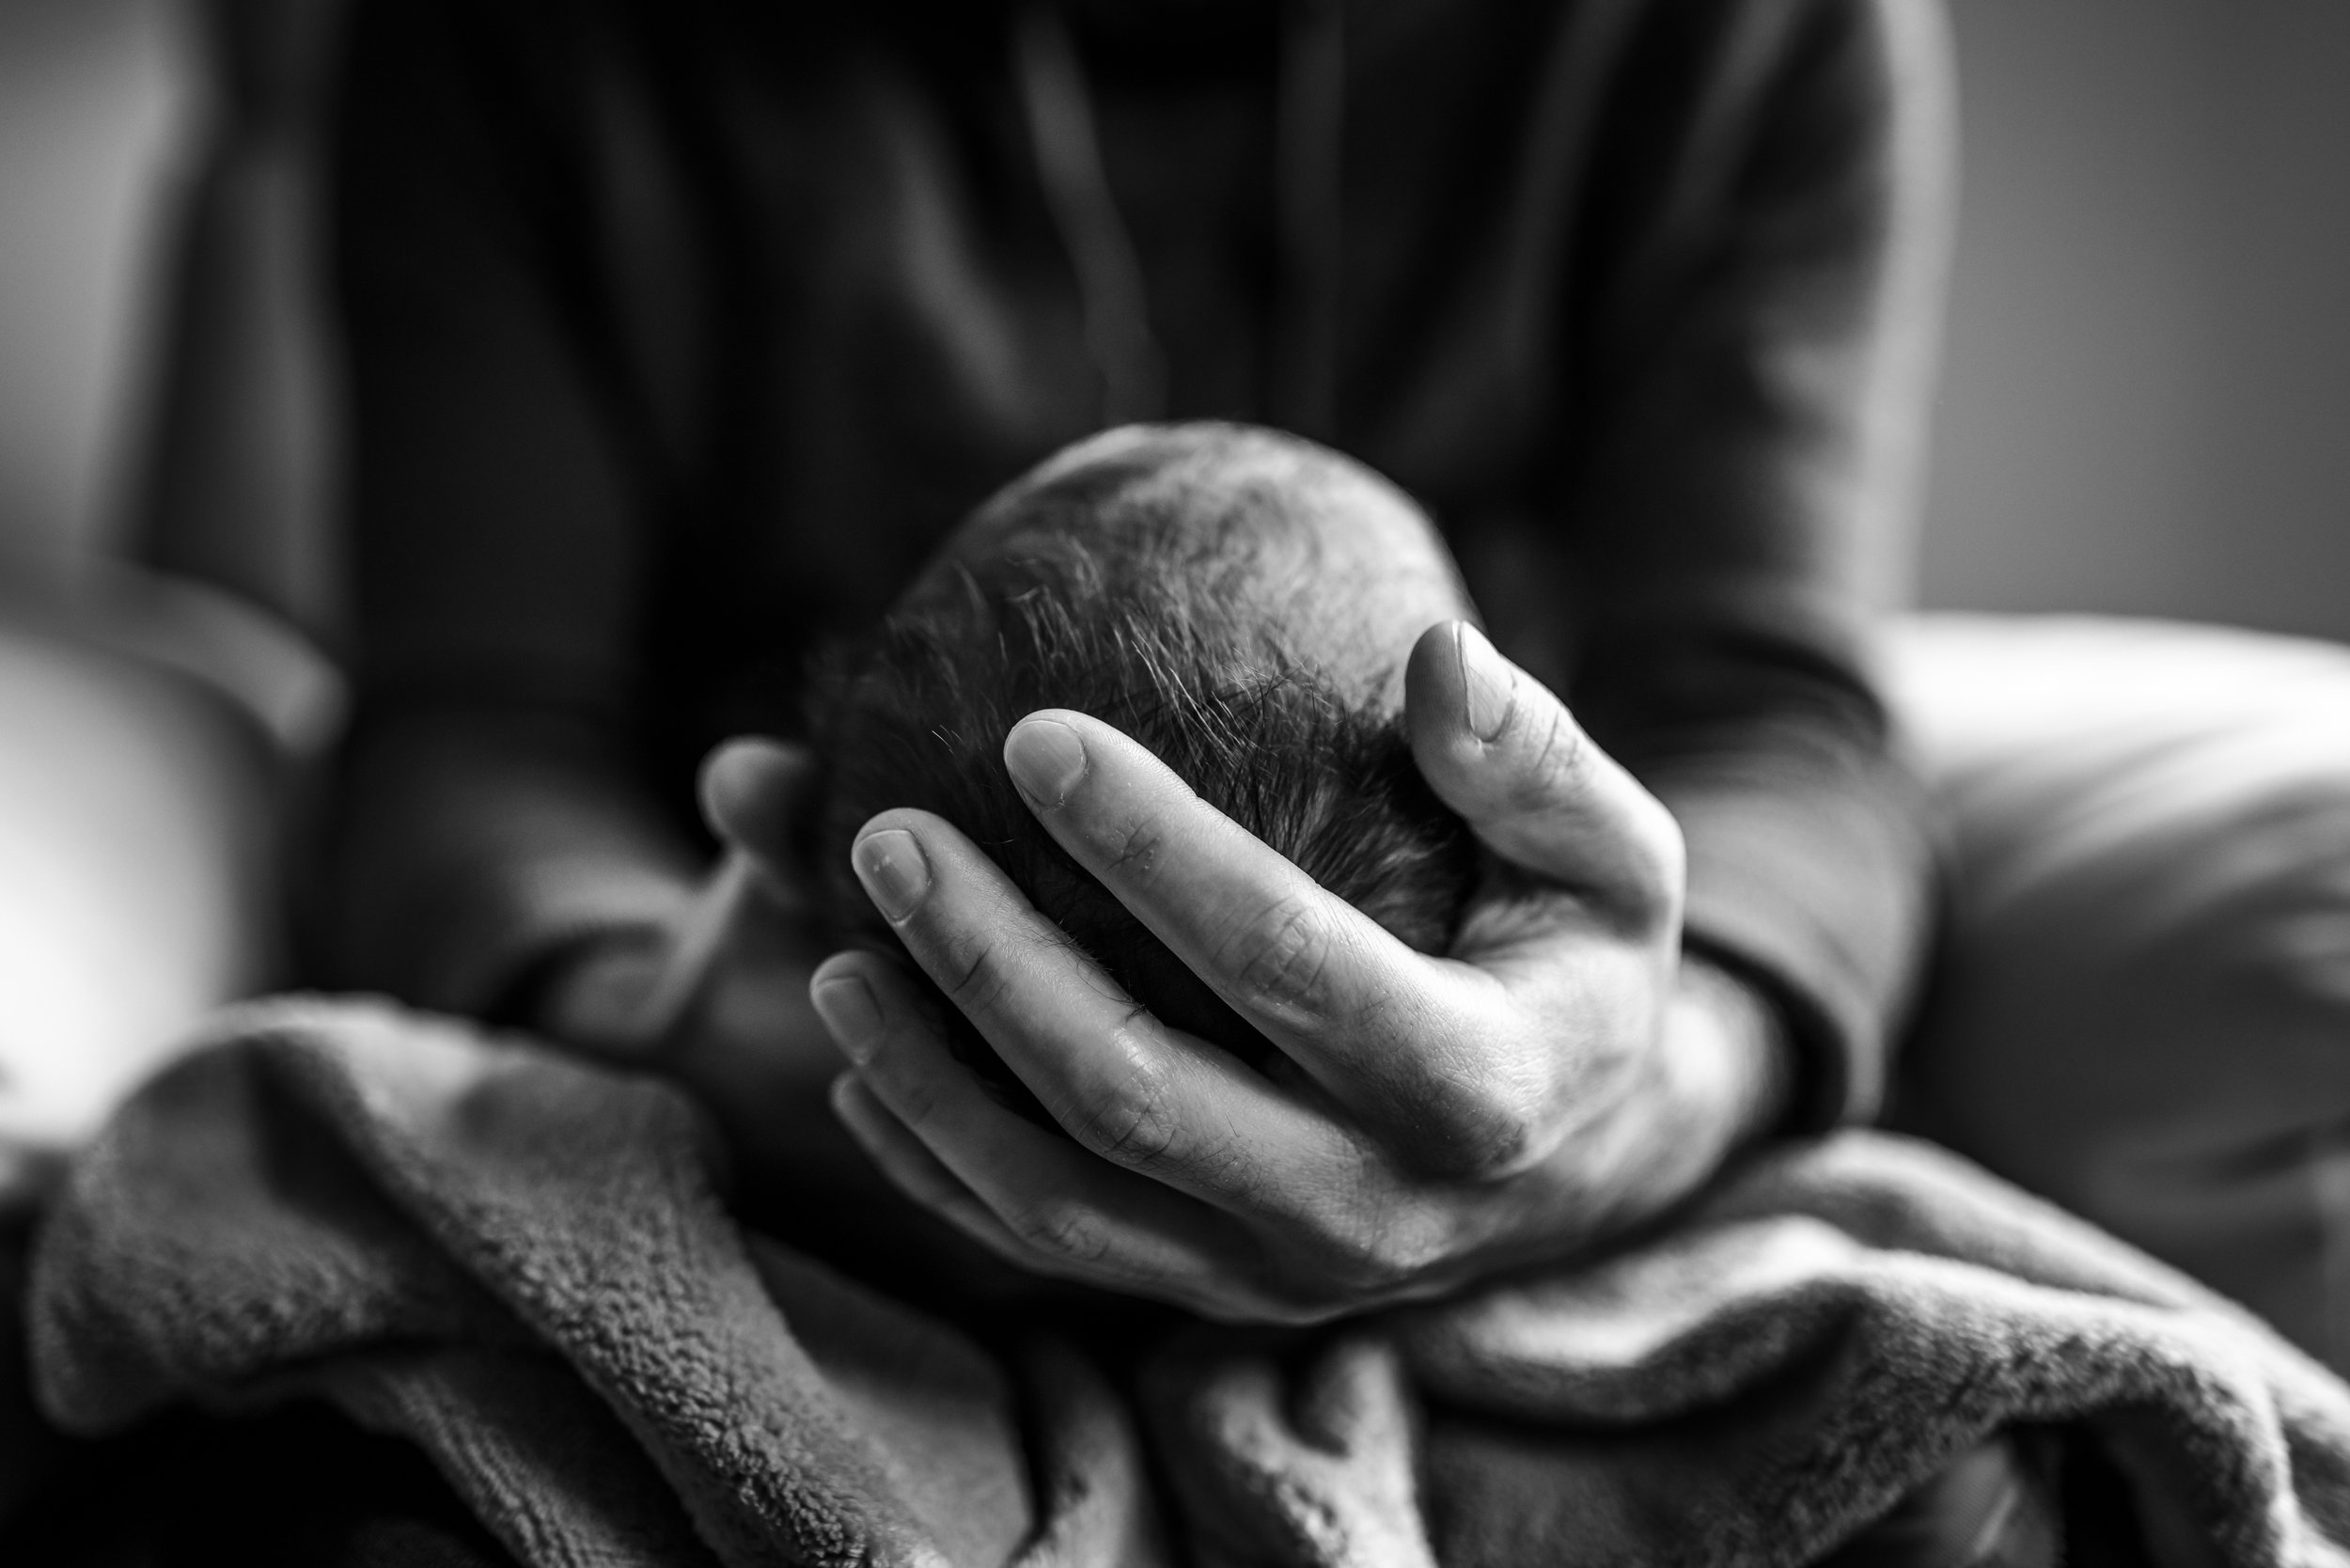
column 680, row 330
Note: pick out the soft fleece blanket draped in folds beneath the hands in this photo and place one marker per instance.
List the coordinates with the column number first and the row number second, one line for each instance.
column 523, row 1266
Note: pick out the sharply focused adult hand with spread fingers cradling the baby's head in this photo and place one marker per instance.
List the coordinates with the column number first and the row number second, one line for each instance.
column 1557, row 1078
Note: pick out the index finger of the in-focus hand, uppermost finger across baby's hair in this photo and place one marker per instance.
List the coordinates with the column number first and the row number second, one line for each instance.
column 1367, row 1017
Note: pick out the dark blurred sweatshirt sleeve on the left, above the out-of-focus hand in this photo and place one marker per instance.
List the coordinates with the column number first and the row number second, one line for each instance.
column 488, row 810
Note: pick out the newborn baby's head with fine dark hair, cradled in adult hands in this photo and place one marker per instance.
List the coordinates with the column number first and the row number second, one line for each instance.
column 1240, row 603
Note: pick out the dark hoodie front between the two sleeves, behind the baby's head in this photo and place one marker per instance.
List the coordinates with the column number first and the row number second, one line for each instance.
column 821, row 276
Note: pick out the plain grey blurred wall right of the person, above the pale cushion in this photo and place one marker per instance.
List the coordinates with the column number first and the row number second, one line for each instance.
column 2147, row 398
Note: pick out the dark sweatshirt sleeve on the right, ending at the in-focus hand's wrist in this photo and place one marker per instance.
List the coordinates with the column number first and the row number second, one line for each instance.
column 1759, row 354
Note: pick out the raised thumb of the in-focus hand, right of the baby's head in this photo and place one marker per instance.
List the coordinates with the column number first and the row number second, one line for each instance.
column 1503, row 751
